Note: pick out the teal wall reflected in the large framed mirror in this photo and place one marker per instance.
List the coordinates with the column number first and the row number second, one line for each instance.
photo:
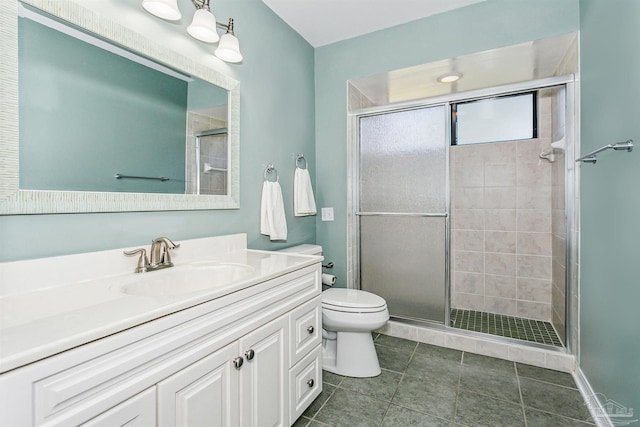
column 87, row 114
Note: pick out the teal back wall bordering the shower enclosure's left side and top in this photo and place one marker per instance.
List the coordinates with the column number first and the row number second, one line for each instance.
column 487, row 25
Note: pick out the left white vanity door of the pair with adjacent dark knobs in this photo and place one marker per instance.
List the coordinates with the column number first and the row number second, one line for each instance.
column 203, row 394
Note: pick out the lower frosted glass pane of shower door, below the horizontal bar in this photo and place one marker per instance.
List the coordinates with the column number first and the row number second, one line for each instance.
column 403, row 261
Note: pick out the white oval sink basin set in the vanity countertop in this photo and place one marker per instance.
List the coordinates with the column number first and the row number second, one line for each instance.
column 183, row 280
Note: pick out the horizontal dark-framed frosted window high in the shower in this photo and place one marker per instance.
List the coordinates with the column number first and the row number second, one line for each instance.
column 504, row 118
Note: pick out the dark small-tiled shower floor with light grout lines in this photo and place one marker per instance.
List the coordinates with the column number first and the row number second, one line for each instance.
column 505, row 326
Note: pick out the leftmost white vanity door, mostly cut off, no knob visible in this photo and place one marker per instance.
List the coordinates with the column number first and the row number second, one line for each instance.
column 138, row 411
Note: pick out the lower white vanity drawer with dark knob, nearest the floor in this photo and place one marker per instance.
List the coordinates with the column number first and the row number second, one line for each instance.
column 306, row 382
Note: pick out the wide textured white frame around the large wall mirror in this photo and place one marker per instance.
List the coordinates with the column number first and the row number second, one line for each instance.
column 15, row 201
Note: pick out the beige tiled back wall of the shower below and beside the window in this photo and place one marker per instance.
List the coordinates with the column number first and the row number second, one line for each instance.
column 501, row 198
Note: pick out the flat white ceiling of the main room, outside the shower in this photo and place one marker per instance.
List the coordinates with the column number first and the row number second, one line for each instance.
column 323, row 22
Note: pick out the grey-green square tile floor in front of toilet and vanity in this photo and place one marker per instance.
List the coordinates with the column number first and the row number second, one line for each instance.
column 425, row 385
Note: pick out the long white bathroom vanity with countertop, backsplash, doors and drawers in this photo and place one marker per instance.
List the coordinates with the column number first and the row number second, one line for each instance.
column 226, row 337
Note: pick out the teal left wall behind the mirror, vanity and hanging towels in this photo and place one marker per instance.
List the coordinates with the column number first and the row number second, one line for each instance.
column 277, row 121
